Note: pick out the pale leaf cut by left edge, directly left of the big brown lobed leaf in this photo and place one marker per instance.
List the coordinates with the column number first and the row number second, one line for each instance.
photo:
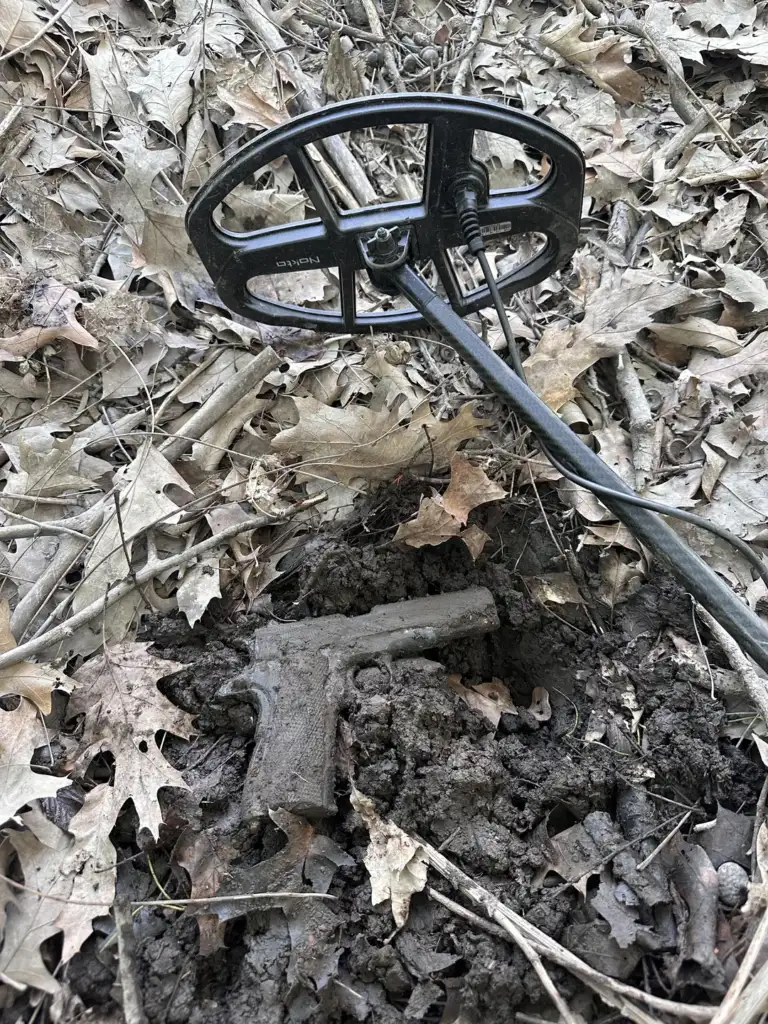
column 21, row 734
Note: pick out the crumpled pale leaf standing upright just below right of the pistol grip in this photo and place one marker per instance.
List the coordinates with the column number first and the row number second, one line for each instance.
column 397, row 865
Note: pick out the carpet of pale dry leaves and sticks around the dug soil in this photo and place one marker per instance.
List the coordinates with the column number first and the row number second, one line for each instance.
column 112, row 343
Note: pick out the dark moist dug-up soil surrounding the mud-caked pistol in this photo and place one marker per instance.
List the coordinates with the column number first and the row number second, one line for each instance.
column 494, row 801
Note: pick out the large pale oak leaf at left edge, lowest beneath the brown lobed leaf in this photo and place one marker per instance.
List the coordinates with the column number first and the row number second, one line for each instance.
column 75, row 872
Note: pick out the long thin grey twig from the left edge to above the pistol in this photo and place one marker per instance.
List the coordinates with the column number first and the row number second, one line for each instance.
column 65, row 630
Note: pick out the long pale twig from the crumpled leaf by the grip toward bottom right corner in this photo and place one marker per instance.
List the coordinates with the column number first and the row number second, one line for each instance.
column 615, row 993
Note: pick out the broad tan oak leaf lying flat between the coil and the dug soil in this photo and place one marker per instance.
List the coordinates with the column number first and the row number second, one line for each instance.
column 357, row 443
